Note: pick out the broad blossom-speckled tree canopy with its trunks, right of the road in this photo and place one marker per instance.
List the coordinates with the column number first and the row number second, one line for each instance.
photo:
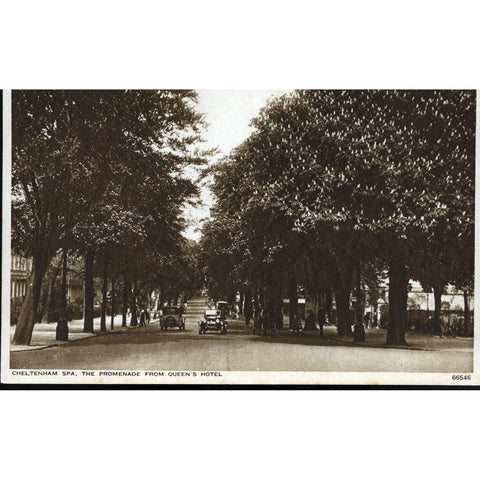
column 349, row 177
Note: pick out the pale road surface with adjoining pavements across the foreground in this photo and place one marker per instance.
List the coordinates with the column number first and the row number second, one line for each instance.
column 149, row 348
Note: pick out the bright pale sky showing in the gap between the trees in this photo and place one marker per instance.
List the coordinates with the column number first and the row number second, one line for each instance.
column 228, row 114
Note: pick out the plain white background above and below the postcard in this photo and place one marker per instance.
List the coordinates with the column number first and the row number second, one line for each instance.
column 256, row 434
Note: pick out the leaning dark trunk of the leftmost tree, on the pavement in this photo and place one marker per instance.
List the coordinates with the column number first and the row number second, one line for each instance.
column 29, row 313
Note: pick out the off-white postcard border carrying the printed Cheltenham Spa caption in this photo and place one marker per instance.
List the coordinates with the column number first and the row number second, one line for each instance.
column 76, row 377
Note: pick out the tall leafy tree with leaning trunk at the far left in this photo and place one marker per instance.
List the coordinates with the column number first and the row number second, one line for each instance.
column 74, row 149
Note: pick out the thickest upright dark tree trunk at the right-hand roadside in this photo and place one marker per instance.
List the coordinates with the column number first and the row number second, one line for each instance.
column 397, row 300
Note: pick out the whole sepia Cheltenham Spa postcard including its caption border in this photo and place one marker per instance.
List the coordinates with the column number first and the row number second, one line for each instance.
column 239, row 237
